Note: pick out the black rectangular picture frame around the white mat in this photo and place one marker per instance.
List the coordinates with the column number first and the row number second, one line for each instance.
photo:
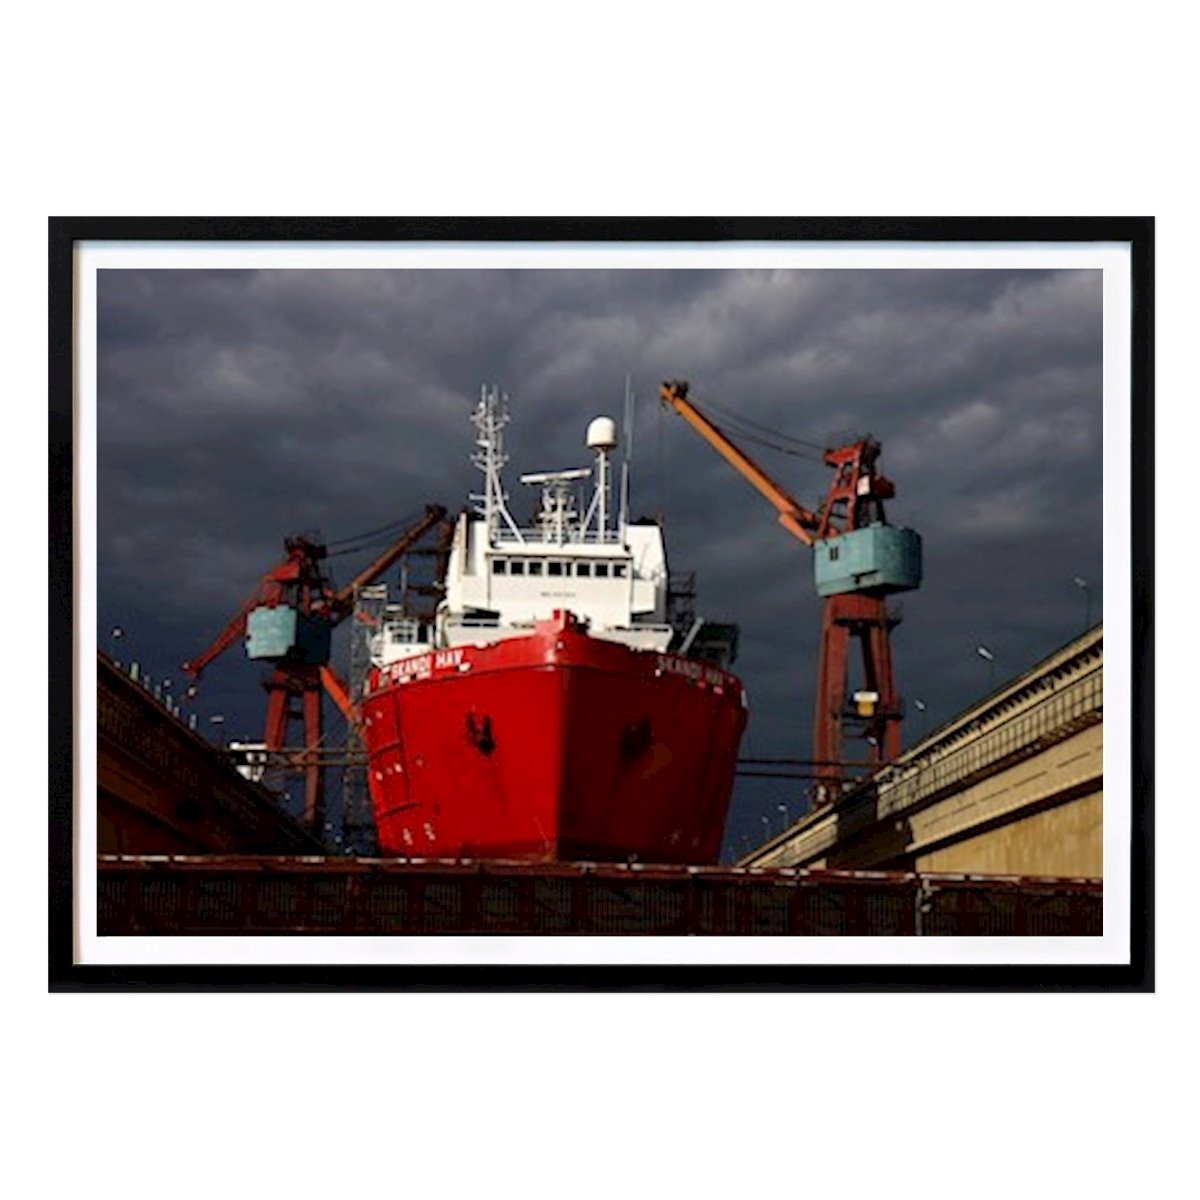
column 68, row 975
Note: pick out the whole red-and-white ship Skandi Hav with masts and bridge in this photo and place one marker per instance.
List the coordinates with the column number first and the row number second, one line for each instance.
column 560, row 706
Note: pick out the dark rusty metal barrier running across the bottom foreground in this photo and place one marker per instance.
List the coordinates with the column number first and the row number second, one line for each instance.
column 255, row 896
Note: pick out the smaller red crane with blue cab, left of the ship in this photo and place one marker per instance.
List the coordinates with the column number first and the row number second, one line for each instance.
column 289, row 621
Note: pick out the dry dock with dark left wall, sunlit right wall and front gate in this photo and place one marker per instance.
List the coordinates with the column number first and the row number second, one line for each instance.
column 1013, row 788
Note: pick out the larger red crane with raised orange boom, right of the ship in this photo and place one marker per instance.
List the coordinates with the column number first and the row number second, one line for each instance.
column 860, row 561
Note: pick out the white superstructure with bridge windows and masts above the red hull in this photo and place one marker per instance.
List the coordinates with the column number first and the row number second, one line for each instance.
column 503, row 577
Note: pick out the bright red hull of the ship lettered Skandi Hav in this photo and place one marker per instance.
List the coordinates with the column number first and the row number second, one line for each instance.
column 554, row 747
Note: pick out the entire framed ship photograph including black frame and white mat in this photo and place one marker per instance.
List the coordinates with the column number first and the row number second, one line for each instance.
column 602, row 604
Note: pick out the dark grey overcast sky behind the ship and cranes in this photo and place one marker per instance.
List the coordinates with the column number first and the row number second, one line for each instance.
column 236, row 407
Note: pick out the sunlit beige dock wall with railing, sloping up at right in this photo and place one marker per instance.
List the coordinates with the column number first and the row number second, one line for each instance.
column 1012, row 787
